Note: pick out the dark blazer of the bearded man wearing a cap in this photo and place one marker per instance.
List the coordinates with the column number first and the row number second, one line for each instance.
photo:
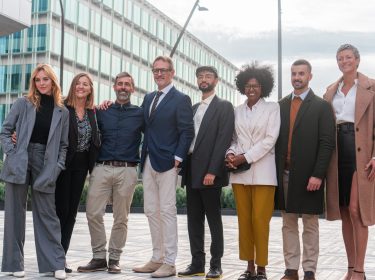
column 213, row 140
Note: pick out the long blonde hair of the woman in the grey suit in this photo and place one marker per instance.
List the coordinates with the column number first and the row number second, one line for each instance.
column 34, row 95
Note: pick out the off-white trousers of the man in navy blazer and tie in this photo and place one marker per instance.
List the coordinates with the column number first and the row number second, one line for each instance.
column 159, row 190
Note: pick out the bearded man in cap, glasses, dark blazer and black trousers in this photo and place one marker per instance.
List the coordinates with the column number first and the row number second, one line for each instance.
column 204, row 174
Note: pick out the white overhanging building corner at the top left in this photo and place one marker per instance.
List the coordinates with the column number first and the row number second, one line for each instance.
column 14, row 15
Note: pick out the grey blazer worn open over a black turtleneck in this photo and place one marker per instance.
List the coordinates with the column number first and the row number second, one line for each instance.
column 21, row 119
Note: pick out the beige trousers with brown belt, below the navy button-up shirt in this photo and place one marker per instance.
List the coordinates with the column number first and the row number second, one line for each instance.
column 116, row 184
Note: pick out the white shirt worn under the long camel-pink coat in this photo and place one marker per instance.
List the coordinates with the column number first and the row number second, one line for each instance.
column 344, row 105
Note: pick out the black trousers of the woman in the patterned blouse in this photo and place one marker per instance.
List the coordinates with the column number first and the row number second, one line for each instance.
column 69, row 186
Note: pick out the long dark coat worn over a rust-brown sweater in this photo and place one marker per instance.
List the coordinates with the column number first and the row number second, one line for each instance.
column 313, row 141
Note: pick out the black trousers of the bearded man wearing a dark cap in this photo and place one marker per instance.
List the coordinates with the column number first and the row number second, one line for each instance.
column 201, row 203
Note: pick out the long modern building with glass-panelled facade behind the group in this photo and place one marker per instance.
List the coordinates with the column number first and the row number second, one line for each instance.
column 105, row 37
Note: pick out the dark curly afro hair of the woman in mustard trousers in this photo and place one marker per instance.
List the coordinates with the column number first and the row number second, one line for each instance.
column 262, row 73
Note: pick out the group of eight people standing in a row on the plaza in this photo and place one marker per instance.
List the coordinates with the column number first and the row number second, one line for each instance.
column 302, row 155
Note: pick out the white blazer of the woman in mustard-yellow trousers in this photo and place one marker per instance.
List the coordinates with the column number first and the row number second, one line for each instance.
column 256, row 139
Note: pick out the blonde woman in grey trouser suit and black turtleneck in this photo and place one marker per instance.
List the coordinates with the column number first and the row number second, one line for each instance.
column 40, row 123
